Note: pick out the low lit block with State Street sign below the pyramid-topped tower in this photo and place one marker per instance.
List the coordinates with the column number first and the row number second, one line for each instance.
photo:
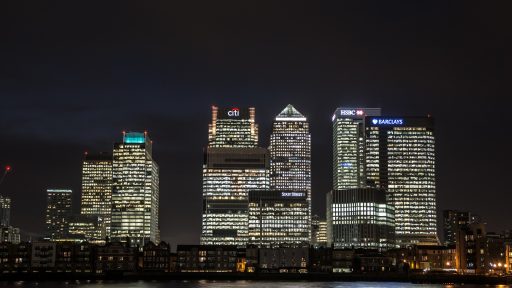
column 279, row 218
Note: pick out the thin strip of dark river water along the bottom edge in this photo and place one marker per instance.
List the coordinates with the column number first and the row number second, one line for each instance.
column 223, row 284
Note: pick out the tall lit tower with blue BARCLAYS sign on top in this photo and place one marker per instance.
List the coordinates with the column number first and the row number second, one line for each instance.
column 400, row 158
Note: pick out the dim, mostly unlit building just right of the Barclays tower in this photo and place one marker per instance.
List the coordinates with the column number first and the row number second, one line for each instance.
column 455, row 220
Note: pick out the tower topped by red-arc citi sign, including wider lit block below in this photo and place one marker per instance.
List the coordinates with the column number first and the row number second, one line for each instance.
column 233, row 166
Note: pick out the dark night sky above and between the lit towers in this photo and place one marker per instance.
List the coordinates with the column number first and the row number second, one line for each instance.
column 74, row 74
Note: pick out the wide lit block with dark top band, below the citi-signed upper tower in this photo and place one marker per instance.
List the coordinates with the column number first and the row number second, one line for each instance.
column 228, row 176
